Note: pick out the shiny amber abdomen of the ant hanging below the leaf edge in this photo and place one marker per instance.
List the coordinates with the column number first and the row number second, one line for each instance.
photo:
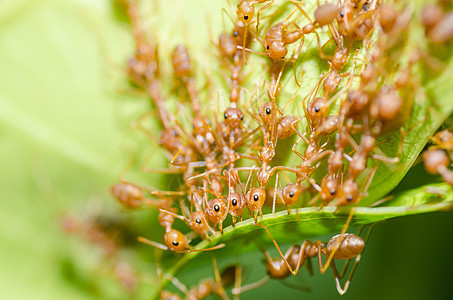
column 350, row 246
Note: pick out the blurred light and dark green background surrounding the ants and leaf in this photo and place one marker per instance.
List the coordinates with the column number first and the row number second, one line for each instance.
column 66, row 138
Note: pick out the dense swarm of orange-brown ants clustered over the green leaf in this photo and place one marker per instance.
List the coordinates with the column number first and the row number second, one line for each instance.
column 229, row 165
